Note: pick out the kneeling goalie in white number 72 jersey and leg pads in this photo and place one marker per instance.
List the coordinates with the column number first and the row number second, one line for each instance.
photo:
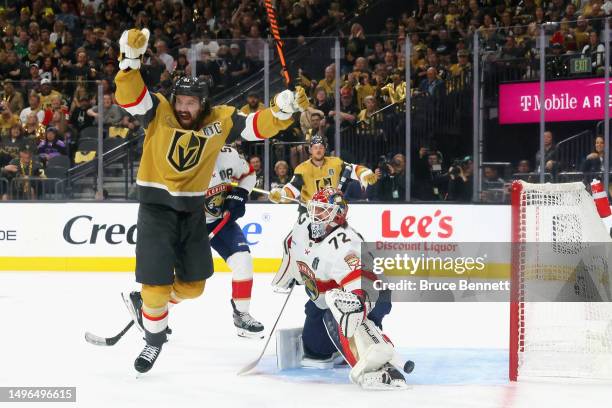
column 339, row 315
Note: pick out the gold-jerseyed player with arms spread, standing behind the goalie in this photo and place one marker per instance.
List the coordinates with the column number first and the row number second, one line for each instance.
column 313, row 175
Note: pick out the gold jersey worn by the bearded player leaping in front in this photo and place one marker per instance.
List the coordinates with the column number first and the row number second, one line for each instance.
column 177, row 164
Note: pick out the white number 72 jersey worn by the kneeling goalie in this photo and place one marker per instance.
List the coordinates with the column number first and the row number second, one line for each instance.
column 333, row 262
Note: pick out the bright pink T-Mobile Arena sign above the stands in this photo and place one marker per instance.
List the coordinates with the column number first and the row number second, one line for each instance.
column 577, row 99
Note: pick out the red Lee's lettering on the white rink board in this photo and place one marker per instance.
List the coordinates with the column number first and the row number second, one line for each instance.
column 426, row 226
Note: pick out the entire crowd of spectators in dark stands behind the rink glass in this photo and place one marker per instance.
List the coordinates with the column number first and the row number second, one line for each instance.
column 54, row 53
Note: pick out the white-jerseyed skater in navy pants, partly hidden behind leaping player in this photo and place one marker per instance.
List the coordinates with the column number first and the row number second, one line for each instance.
column 230, row 242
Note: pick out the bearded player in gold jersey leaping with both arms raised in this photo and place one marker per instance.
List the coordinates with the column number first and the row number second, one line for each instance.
column 183, row 137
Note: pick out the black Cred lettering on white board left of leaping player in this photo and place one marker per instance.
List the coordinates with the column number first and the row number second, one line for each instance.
column 82, row 230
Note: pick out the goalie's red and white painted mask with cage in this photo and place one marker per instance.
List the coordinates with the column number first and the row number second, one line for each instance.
column 327, row 210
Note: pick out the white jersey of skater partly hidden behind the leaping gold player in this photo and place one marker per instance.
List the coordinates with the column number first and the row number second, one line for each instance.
column 230, row 168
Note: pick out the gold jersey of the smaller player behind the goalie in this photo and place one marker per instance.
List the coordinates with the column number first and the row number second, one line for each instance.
column 309, row 178
